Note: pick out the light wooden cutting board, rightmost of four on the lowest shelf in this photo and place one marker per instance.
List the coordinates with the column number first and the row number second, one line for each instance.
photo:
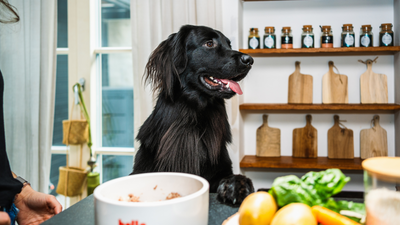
column 373, row 141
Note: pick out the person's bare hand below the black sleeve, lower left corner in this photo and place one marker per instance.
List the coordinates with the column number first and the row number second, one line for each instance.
column 35, row 207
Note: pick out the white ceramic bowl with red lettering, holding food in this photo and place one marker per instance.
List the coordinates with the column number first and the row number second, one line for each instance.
column 153, row 209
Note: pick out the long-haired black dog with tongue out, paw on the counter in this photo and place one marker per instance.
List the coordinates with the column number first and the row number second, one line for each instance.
column 192, row 72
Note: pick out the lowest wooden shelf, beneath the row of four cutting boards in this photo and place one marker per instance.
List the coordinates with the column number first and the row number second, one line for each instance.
column 289, row 162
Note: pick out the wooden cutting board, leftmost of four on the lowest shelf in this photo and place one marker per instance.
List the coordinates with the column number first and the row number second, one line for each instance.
column 268, row 140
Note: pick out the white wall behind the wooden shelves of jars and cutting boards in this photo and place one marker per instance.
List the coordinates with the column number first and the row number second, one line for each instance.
column 267, row 82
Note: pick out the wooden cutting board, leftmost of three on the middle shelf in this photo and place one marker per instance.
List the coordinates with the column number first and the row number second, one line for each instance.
column 300, row 87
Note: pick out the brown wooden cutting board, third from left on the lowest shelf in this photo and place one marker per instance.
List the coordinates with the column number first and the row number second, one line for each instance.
column 340, row 142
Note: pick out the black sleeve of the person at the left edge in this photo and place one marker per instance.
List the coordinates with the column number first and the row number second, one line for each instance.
column 9, row 186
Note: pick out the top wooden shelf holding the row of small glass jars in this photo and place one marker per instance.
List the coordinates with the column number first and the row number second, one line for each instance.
column 391, row 50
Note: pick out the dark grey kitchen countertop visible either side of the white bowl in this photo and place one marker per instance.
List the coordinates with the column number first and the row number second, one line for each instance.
column 82, row 213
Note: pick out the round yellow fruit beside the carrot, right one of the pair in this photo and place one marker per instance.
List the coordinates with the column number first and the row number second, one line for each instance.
column 294, row 214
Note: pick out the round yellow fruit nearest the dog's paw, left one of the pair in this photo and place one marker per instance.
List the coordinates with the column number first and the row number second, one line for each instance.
column 257, row 208
